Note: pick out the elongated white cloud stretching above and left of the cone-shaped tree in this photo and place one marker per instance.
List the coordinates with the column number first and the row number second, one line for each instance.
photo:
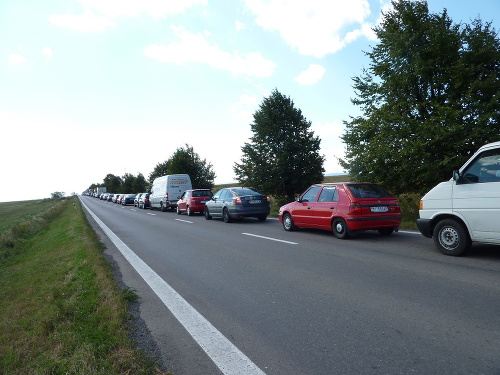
column 196, row 48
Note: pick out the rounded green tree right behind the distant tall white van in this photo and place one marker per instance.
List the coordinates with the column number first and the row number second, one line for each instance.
column 185, row 160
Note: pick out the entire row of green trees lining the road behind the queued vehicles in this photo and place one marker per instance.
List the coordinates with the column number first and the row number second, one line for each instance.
column 429, row 98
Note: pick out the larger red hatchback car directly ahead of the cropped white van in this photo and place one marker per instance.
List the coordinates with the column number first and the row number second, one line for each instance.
column 344, row 208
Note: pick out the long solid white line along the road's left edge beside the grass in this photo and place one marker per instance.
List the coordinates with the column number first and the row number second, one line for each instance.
column 228, row 358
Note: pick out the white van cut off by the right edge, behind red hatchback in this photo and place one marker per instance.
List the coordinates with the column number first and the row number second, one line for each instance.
column 466, row 208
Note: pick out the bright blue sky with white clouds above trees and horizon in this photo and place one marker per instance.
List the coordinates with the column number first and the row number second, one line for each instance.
column 92, row 87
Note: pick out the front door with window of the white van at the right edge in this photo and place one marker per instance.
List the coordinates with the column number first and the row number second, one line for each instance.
column 477, row 198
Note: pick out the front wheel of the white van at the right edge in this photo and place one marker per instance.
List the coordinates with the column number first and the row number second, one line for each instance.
column 451, row 238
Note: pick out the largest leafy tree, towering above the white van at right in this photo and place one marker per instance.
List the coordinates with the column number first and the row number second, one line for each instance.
column 429, row 99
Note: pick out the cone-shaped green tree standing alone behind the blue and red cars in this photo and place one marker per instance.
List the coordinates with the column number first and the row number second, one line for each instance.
column 282, row 157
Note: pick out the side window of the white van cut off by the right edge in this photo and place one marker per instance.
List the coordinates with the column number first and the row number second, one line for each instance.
column 486, row 168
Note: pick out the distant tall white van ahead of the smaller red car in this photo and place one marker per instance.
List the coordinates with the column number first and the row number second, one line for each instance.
column 167, row 190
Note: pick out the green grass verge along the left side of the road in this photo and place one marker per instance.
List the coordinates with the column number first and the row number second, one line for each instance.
column 61, row 310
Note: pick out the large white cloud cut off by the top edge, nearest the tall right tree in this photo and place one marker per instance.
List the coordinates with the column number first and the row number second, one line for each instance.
column 314, row 27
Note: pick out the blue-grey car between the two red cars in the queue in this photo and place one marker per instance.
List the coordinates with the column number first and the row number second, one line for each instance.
column 237, row 203
